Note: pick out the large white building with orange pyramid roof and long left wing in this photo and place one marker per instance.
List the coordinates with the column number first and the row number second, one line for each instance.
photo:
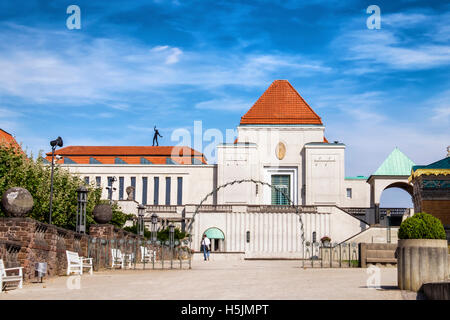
column 289, row 182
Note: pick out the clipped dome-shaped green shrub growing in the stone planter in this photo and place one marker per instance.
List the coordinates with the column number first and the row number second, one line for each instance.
column 421, row 226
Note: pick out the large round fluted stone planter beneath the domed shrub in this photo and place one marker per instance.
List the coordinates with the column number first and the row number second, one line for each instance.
column 421, row 261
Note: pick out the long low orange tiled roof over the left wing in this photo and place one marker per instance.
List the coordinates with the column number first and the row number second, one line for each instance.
column 130, row 155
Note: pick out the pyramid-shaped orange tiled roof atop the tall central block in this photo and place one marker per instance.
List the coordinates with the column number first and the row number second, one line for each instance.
column 281, row 104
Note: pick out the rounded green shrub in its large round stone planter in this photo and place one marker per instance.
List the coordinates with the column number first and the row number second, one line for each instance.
column 421, row 252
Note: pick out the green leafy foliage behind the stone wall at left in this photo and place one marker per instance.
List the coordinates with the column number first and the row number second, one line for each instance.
column 19, row 170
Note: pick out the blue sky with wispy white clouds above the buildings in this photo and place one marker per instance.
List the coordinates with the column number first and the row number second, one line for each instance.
column 136, row 64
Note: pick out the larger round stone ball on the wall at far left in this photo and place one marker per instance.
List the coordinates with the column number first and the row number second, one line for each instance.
column 17, row 202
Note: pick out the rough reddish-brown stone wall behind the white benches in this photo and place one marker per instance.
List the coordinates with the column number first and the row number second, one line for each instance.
column 24, row 241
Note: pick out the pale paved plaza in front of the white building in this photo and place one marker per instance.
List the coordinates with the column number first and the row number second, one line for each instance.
column 220, row 280
